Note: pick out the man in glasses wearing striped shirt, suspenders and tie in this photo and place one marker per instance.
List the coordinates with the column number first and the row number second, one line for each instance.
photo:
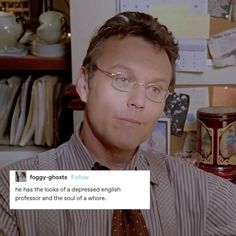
column 127, row 74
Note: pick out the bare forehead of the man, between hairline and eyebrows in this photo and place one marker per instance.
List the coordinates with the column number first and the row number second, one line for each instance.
column 136, row 54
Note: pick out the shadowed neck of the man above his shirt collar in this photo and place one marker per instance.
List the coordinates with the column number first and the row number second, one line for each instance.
column 109, row 156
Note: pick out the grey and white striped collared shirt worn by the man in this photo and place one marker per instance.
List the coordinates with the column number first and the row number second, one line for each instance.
column 204, row 204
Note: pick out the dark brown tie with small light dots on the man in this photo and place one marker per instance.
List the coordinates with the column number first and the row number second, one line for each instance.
column 126, row 222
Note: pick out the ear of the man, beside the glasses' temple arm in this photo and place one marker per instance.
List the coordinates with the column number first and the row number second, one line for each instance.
column 82, row 85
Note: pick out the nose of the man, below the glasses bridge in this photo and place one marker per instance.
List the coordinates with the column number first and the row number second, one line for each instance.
column 137, row 97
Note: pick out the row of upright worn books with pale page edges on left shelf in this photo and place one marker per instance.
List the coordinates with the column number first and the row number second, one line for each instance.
column 30, row 110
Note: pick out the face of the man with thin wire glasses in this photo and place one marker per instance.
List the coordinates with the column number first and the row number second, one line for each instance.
column 123, row 120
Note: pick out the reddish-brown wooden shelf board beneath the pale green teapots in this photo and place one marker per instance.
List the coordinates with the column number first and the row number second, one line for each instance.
column 33, row 63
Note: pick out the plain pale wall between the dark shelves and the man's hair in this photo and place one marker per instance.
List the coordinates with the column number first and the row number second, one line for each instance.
column 85, row 17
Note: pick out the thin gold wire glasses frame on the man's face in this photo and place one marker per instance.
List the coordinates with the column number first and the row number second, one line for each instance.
column 112, row 76
